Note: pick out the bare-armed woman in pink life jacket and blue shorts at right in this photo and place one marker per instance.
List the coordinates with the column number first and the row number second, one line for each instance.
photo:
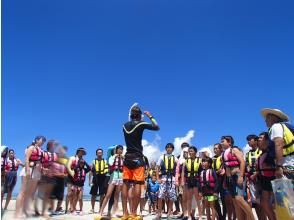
column 234, row 165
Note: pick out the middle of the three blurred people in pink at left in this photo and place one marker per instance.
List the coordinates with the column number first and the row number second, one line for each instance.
column 47, row 181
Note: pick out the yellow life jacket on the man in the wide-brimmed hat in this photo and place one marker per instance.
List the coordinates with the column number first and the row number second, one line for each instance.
column 288, row 148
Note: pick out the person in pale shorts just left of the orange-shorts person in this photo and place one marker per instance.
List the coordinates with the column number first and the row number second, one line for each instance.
column 116, row 167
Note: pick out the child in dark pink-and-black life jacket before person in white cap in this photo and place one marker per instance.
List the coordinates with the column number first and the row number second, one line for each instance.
column 79, row 178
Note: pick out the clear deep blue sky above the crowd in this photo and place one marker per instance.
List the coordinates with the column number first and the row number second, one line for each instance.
column 72, row 69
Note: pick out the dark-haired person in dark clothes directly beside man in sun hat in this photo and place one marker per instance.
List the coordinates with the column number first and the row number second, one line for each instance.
column 265, row 174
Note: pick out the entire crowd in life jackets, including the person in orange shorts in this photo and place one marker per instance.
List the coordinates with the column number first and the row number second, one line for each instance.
column 228, row 185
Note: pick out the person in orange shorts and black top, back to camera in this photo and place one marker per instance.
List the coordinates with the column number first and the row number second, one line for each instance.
column 133, row 171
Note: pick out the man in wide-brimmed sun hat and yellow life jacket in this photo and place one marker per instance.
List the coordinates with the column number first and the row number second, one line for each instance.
column 281, row 135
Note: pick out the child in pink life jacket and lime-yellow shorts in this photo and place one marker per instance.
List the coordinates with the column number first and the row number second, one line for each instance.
column 209, row 188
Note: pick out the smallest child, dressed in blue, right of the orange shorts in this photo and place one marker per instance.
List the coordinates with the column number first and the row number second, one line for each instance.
column 152, row 189
